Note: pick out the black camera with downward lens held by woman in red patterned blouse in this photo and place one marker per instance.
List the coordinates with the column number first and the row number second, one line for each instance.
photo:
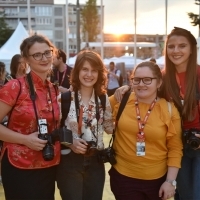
column 63, row 135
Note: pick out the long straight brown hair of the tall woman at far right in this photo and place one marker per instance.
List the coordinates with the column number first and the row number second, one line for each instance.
column 171, row 88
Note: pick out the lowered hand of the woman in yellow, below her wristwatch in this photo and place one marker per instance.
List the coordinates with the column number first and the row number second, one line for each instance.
column 167, row 190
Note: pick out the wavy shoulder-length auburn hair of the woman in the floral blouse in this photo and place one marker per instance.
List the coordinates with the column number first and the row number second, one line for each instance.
column 96, row 62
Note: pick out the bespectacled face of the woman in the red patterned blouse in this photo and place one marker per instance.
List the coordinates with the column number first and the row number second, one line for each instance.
column 39, row 66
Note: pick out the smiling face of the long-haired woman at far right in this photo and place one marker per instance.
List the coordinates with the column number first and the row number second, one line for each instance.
column 179, row 51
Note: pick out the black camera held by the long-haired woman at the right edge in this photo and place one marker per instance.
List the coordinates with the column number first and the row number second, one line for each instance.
column 191, row 139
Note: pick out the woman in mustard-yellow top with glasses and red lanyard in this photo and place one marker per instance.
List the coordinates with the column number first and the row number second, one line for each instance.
column 147, row 141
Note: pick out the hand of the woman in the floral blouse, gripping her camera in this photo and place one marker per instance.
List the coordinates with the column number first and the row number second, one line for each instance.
column 79, row 146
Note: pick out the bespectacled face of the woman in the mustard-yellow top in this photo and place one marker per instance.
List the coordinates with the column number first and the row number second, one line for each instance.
column 146, row 93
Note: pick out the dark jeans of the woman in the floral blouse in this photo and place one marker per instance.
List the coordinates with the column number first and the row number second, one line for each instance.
column 80, row 177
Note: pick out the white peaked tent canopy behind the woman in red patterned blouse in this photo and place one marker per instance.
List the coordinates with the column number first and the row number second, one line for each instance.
column 12, row 46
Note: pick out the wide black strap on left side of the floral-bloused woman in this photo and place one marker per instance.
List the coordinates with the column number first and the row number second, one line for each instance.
column 65, row 106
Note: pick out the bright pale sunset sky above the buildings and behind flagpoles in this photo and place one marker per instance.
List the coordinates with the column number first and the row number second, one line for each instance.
column 119, row 15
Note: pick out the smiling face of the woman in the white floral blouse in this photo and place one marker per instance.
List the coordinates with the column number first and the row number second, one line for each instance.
column 88, row 75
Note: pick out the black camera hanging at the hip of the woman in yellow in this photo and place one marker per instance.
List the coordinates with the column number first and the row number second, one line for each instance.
column 107, row 155
